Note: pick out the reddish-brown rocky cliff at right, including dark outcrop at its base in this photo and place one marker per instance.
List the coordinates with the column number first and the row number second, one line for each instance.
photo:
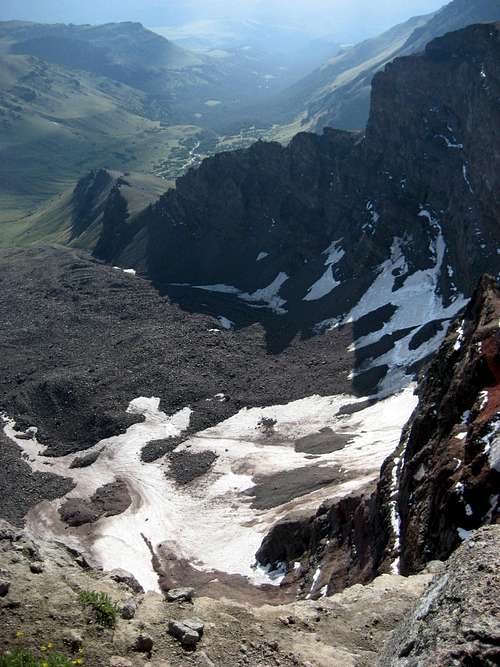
column 442, row 482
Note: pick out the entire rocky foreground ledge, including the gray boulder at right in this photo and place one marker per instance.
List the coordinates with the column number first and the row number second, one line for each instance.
column 449, row 615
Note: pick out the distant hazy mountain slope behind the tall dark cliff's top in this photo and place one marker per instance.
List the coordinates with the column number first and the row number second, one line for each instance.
column 338, row 94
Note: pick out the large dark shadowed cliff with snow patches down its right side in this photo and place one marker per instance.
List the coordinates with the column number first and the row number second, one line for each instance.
column 388, row 232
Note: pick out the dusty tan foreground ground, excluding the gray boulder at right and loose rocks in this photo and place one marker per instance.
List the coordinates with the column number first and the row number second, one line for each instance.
column 342, row 631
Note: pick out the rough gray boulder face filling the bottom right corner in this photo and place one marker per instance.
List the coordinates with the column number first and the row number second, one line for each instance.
column 457, row 621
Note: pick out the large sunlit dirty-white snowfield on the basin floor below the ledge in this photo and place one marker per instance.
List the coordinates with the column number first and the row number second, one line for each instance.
column 213, row 522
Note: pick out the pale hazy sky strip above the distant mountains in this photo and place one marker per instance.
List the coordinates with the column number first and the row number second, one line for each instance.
column 347, row 19
